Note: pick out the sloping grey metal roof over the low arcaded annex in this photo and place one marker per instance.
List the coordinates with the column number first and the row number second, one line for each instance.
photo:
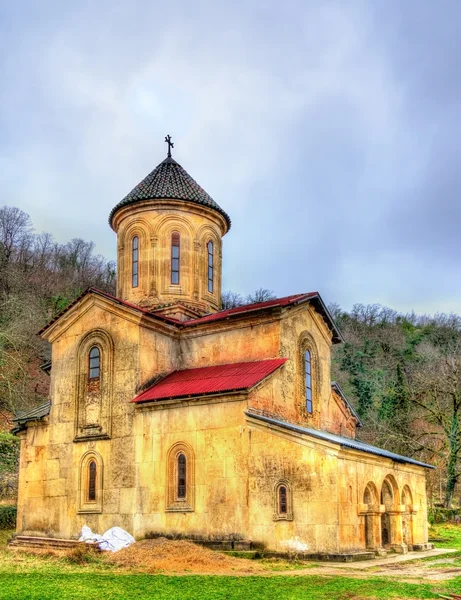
column 338, row 439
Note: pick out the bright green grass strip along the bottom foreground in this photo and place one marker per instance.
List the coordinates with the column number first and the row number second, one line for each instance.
column 91, row 586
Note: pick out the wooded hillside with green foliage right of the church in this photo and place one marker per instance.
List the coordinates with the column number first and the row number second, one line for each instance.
column 403, row 375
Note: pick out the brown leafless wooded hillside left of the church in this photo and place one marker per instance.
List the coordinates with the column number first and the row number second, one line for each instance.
column 38, row 278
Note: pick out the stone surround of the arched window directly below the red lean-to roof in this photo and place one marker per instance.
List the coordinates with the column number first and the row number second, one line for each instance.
column 186, row 502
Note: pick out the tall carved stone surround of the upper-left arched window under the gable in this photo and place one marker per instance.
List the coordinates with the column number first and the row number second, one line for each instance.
column 93, row 401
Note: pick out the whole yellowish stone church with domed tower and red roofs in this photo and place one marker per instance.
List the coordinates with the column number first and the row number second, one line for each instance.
column 169, row 415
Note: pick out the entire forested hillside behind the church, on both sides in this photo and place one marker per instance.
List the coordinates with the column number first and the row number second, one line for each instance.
column 401, row 372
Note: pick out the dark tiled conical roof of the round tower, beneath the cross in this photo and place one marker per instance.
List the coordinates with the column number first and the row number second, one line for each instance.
column 169, row 180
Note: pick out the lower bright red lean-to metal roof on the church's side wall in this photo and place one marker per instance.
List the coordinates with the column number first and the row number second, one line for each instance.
column 210, row 380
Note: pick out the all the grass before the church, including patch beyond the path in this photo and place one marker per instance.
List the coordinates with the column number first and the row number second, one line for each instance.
column 29, row 577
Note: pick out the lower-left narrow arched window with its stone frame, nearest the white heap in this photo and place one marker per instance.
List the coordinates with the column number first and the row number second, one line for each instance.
column 90, row 482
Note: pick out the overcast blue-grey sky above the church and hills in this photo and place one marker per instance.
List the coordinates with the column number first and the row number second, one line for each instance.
column 328, row 131
